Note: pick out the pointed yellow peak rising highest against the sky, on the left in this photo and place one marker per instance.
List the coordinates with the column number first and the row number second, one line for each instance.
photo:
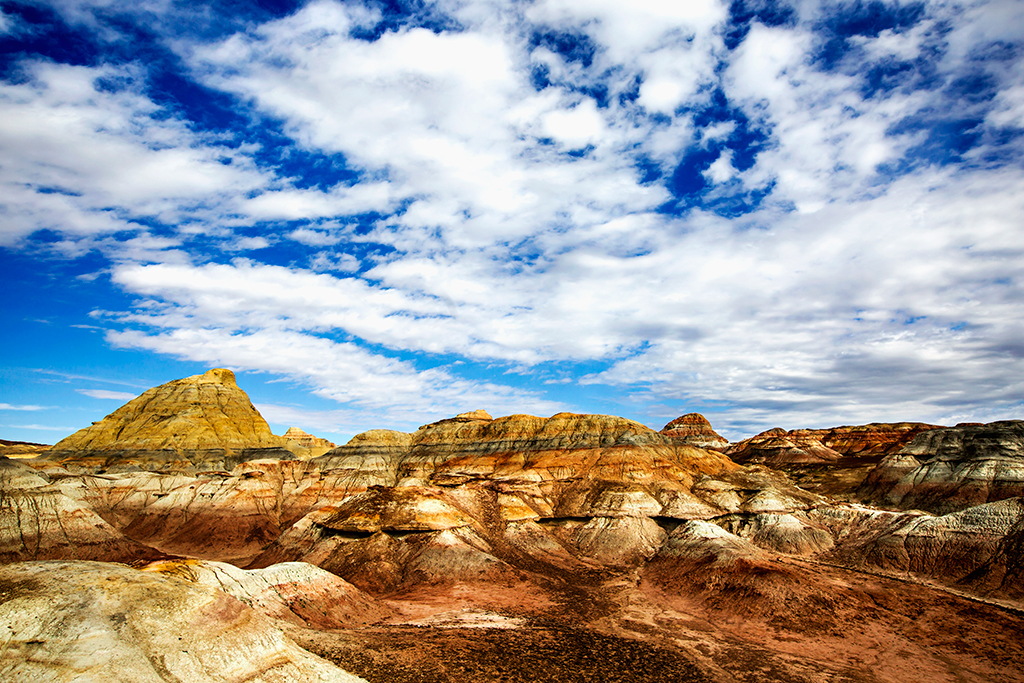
column 204, row 422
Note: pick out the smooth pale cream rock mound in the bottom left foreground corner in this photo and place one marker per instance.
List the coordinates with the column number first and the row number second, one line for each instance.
column 106, row 623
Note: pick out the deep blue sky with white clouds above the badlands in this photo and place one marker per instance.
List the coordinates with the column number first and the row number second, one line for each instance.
column 385, row 214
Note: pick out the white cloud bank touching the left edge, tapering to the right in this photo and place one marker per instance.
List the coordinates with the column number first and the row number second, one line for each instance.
column 61, row 135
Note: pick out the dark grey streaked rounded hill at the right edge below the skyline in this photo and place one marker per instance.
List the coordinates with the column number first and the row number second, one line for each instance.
column 954, row 468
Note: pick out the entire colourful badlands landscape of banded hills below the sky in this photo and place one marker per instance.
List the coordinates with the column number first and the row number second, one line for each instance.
column 180, row 540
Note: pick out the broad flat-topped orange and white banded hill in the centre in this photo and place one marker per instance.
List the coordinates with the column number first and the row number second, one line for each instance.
column 501, row 500
